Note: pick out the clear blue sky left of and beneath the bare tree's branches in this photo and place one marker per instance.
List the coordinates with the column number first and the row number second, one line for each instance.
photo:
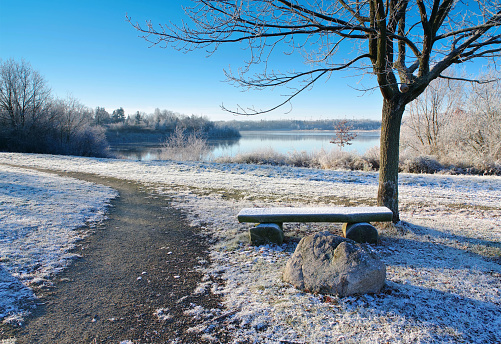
column 88, row 50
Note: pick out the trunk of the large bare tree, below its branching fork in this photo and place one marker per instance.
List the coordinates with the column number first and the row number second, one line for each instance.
column 390, row 141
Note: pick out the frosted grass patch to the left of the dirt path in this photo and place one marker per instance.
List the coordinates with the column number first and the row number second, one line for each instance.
column 39, row 219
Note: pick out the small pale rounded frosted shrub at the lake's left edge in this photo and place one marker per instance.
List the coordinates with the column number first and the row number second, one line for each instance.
column 184, row 146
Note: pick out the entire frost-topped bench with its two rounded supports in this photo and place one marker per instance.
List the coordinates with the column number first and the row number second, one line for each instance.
column 356, row 221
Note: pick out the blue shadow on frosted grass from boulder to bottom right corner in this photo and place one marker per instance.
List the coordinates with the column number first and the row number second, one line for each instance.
column 447, row 316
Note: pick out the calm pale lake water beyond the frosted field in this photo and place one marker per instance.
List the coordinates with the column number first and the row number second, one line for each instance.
column 280, row 141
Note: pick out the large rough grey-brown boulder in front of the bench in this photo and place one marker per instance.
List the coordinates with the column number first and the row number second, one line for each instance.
column 329, row 264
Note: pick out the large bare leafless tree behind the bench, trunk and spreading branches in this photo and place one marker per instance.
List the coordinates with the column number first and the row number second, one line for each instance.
column 405, row 44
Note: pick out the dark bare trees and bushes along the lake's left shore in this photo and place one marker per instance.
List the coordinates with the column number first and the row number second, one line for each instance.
column 33, row 120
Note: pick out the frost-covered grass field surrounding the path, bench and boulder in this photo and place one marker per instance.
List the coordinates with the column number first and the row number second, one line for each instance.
column 443, row 260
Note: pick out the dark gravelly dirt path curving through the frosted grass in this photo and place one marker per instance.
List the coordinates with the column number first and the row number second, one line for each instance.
column 140, row 260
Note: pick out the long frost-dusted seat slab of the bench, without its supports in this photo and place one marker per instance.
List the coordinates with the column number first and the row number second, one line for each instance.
column 319, row 214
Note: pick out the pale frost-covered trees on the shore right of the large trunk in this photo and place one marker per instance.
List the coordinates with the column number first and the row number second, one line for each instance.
column 456, row 123
